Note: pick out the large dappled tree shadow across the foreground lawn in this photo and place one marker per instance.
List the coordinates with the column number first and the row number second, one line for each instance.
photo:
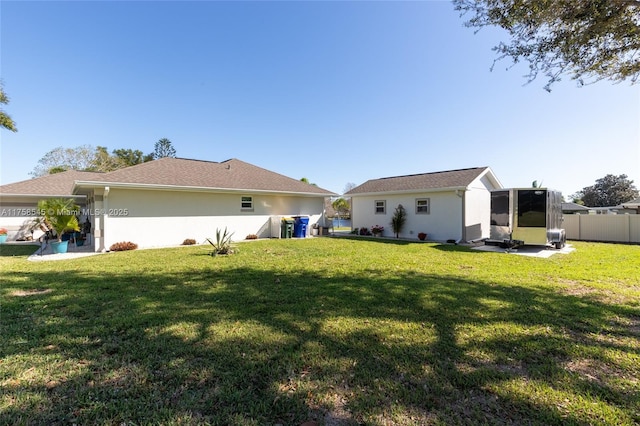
column 248, row 346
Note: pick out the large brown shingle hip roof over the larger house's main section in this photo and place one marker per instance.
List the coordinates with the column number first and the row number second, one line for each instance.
column 232, row 174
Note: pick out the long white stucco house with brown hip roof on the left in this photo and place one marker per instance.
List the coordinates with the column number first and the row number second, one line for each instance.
column 163, row 202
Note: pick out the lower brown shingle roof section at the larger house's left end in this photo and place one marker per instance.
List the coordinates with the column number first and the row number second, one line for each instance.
column 55, row 184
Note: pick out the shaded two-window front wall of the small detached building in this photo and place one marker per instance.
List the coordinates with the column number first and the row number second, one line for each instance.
column 443, row 222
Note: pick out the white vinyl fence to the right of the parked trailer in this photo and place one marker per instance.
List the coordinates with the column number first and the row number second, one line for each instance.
column 623, row 228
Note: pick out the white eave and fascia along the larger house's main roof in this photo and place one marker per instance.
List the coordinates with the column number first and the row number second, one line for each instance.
column 83, row 187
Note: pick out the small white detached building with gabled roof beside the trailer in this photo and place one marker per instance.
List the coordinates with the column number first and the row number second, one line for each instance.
column 446, row 205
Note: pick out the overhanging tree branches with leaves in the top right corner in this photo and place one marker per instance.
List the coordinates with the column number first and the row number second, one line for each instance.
column 589, row 40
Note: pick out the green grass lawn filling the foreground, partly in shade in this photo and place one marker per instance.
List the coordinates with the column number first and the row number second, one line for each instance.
column 335, row 331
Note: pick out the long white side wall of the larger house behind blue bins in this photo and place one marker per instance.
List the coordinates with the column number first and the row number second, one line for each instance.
column 160, row 218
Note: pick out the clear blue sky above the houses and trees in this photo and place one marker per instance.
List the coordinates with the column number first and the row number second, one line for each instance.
column 336, row 92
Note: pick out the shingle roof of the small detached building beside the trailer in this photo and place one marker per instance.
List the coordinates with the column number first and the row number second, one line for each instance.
column 419, row 182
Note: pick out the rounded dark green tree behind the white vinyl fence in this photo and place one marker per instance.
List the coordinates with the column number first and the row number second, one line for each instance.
column 609, row 191
